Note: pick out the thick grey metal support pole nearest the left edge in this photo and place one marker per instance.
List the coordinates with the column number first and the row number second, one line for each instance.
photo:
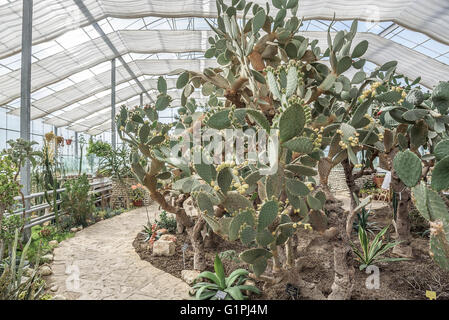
column 25, row 96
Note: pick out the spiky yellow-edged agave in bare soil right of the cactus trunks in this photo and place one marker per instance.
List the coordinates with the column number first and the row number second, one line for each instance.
column 372, row 252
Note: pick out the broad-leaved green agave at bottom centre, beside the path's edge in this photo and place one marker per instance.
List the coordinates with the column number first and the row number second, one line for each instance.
column 232, row 285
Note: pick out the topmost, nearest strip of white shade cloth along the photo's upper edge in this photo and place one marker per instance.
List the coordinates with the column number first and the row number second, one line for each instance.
column 55, row 17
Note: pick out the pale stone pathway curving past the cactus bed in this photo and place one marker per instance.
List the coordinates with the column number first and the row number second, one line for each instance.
column 108, row 268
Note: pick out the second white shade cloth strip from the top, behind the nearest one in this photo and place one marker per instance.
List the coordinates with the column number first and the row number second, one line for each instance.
column 62, row 65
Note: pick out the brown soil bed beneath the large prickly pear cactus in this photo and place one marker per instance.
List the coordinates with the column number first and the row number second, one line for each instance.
column 405, row 280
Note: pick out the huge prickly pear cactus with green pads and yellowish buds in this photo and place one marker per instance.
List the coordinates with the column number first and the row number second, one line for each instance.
column 272, row 79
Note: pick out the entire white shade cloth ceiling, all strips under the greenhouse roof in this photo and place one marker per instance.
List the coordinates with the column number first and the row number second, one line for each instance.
column 53, row 18
